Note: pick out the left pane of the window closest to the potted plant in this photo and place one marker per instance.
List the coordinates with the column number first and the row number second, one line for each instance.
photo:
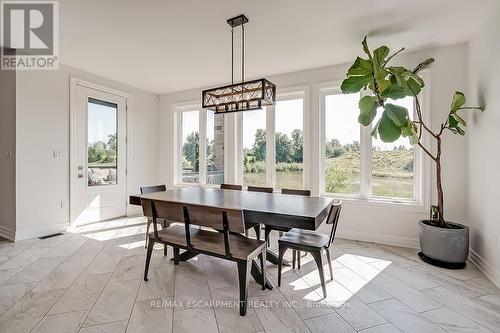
column 342, row 150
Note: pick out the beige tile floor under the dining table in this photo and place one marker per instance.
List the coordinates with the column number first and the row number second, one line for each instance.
column 90, row 280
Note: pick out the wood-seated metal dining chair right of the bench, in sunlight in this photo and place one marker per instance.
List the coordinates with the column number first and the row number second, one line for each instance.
column 313, row 242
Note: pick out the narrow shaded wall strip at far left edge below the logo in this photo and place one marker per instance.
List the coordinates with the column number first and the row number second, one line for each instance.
column 7, row 160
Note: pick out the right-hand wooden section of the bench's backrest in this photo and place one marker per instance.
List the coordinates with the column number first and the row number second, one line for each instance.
column 212, row 217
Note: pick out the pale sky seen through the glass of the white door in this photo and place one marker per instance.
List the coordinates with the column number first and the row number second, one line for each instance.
column 101, row 122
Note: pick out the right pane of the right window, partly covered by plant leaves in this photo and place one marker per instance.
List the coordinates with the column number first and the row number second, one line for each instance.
column 392, row 163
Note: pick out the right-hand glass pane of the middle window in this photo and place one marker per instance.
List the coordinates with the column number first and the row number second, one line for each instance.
column 289, row 144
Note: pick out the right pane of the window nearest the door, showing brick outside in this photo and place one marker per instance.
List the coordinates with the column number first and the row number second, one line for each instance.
column 215, row 148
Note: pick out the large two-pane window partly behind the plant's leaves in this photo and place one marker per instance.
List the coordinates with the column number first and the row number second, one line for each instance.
column 357, row 165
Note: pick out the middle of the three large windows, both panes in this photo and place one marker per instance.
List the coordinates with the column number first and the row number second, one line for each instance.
column 272, row 144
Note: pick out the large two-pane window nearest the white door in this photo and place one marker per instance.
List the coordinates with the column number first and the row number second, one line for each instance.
column 201, row 147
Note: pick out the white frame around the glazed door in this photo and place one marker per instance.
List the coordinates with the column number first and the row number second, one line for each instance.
column 74, row 83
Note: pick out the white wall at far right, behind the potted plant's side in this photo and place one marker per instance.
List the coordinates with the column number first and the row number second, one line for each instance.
column 484, row 151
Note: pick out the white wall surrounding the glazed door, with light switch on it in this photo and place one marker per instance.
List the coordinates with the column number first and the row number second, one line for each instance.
column 43, row 126
